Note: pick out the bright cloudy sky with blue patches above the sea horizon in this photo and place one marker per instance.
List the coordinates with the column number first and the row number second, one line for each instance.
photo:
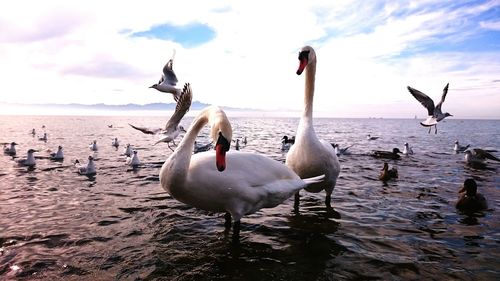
column 244, row 53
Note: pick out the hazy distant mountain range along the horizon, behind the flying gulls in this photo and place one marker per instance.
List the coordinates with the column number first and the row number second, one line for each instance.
column 196, row 105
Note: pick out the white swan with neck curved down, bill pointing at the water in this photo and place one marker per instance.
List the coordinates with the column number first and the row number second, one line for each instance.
column 249, row 182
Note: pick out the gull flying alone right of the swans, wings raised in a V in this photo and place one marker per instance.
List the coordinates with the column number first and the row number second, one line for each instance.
column 434, row 112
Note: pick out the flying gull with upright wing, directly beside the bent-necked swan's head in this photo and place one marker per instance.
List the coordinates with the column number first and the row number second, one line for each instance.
column 172, row 128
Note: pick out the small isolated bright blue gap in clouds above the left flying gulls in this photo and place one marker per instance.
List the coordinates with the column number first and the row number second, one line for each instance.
column 188, row 36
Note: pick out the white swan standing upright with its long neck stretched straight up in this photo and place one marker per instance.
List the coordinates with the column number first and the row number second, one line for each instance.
column 309, row 156
